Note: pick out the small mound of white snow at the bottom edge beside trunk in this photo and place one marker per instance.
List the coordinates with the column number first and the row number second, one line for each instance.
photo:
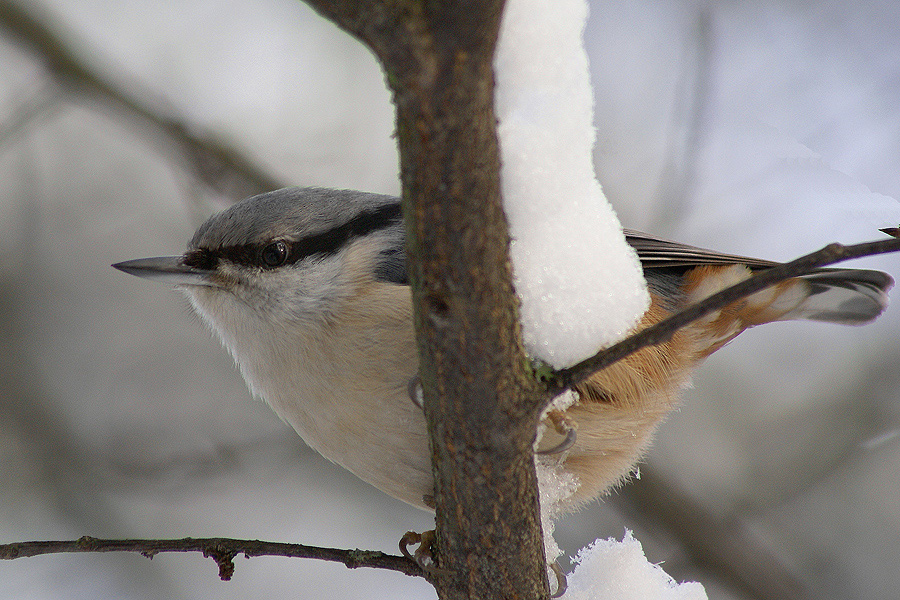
column 614, row 570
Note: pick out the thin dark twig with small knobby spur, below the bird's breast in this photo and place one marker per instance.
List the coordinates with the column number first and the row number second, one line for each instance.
column 221, row 550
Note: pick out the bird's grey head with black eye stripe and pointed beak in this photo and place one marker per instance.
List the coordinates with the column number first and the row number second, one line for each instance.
column 290, row 252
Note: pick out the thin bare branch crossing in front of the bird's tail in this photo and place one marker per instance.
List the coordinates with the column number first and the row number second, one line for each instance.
column 664, row 330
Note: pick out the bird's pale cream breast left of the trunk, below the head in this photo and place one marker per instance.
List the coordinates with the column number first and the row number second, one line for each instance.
column 340, row 383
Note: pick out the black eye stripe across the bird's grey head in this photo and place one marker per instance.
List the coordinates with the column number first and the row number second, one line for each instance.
column 325, row 243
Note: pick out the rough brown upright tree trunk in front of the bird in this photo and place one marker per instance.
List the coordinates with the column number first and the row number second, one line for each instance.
column 481, row 400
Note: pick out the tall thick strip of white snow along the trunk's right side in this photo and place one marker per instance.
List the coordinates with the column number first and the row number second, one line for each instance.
column 581, row 286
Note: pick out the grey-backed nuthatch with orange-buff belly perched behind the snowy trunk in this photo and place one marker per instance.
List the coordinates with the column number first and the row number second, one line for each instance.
column 307, row 288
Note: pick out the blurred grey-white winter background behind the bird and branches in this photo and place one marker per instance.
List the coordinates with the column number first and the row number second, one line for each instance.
column 767, row 128
